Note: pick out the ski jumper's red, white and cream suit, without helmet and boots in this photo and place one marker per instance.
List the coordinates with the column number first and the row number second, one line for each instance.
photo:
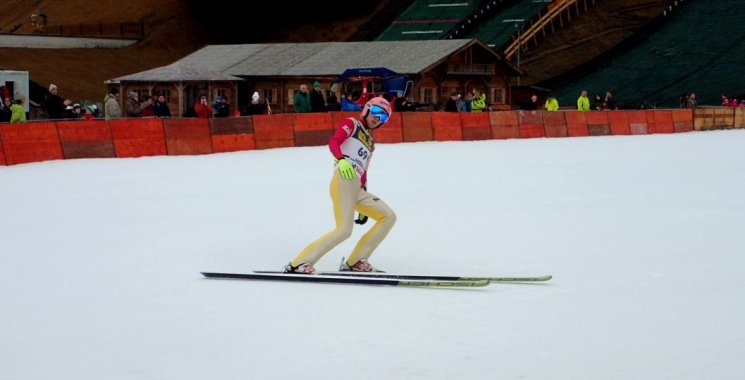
column 353, row 142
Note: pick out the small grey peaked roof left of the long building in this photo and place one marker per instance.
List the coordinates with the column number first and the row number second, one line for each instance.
column 177, row 72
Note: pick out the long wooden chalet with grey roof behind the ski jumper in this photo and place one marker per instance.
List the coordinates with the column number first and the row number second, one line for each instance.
column 436, row 68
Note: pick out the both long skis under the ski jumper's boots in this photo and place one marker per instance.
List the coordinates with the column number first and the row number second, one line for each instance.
column 376, row 278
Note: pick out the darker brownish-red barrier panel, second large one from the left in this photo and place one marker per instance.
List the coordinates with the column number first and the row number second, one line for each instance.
column 86, row 139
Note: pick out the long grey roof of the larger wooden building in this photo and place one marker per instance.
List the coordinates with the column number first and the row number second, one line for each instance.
column 328, row 58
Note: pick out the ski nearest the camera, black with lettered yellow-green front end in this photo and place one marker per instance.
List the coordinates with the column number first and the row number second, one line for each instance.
column 347, row 279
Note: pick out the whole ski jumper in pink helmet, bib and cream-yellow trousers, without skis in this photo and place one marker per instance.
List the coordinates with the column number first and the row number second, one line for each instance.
column 352, row 146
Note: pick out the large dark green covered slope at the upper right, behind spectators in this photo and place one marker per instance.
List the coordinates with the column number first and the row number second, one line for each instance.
column 695, row 47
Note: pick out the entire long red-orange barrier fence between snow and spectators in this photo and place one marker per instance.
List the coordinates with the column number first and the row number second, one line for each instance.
column 67, row 139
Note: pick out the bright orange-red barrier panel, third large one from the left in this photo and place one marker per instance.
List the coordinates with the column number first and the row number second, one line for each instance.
column 139, row 137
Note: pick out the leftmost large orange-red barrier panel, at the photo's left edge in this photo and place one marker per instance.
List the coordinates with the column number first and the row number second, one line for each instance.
column 30, row 142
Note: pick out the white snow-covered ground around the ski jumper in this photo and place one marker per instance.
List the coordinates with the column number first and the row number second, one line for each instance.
column 100, row 262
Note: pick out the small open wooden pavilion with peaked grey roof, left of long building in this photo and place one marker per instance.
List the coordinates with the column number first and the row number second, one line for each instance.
column 181, row 84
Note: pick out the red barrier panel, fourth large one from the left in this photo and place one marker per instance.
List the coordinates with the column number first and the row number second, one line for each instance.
column 187, row 136
